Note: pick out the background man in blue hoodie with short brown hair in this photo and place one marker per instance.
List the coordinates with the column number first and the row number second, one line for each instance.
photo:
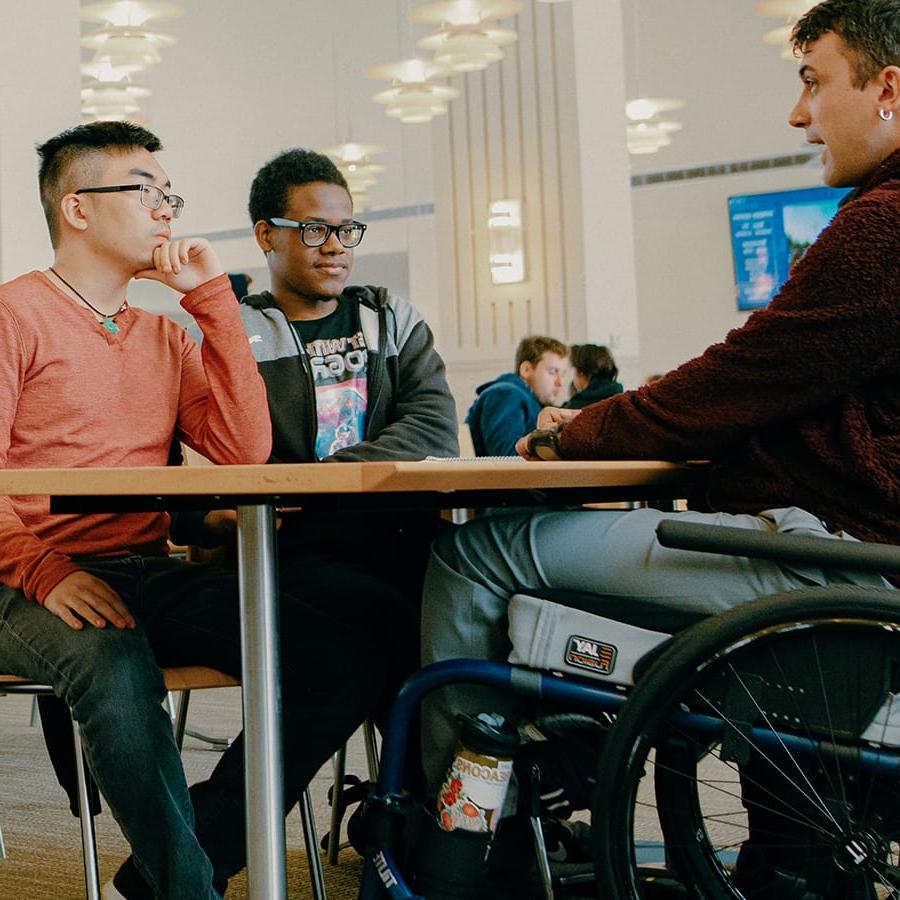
column 508, row 407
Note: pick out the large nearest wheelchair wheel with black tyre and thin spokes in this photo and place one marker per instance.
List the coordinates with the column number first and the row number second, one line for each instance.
column 760, row 756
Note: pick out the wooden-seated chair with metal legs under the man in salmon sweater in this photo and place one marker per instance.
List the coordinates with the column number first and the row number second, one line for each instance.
column 184, row 680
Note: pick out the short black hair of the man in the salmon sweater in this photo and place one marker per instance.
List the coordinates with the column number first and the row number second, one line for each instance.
column 58, row 155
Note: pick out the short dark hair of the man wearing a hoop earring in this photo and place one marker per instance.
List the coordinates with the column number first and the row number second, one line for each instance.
column 869, row 28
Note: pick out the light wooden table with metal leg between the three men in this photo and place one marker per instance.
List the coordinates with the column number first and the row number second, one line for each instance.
column 256, row 491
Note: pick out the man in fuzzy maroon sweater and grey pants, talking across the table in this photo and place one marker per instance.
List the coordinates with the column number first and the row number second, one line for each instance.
column 798, row 410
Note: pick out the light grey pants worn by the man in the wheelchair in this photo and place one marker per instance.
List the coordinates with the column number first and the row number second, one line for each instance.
column 475, row 569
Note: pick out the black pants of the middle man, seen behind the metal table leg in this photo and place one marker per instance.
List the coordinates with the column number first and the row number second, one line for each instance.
column 335, row 620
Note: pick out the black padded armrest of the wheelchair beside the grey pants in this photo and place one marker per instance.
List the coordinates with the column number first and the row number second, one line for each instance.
column 853, row 555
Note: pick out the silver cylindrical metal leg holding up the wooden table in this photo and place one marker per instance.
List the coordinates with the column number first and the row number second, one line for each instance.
column 261, row 676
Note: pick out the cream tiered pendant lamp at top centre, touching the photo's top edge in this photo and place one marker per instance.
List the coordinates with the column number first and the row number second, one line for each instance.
column 467, row 40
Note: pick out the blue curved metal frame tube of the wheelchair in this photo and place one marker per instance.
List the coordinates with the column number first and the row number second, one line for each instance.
column 382, row 876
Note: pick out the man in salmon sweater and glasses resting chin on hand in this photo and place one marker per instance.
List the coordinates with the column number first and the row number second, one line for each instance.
column 91, row 603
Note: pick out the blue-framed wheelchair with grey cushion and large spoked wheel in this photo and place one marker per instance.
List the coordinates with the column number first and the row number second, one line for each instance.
column 753, row 755
